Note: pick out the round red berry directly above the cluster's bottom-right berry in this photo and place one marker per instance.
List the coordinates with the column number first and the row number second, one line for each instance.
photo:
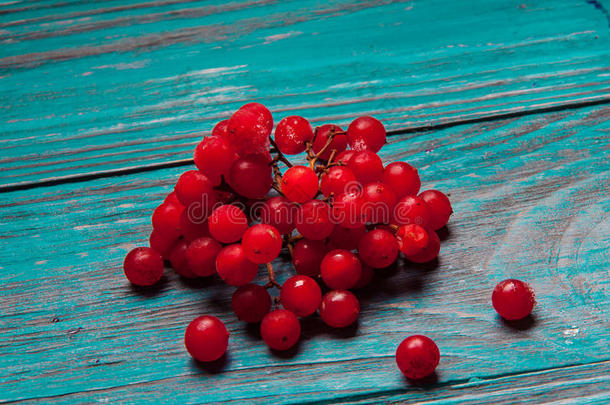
column 340, row 269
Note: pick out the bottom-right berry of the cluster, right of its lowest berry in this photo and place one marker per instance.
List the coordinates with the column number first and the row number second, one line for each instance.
column 339, row 308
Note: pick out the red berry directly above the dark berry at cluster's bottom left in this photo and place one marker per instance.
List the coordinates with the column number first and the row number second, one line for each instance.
column 234, row 267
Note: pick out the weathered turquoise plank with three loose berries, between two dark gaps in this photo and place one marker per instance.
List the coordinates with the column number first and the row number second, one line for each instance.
column 530, row 199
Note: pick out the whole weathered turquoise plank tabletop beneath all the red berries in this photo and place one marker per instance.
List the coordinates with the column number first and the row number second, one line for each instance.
column 505, row 104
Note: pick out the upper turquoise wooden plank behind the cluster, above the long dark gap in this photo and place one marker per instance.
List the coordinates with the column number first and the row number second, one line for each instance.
column 88, row 87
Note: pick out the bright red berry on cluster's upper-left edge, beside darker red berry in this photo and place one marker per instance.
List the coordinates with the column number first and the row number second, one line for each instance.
column 214, row 158
